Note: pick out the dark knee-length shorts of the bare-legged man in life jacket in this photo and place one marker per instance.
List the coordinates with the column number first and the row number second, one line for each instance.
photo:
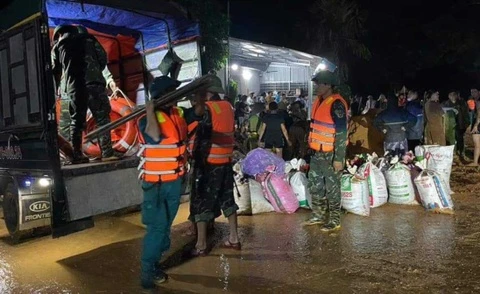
column 212, row 190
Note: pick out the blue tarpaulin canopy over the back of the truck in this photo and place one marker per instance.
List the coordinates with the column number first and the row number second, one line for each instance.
column 144, row 20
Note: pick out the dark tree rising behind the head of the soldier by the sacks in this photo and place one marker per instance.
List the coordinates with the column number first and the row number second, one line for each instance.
column 334, row 30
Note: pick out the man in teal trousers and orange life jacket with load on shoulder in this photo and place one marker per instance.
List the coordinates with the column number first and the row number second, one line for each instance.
column 163, row 134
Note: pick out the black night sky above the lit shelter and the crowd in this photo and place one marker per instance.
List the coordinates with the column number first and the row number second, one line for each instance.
column 395, row 38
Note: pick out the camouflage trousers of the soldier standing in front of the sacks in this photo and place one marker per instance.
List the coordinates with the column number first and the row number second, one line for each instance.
column 324, row 184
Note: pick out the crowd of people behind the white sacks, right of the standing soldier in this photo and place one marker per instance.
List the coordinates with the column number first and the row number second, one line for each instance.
column 408, row 120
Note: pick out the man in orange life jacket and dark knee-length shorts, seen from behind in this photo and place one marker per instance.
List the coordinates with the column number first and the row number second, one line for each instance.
column 213, row 172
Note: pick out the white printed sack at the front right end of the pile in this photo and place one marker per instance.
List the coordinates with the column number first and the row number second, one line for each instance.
column 433, row 192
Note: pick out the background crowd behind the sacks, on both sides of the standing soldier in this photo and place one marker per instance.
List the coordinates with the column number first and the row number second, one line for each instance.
column 406, row 119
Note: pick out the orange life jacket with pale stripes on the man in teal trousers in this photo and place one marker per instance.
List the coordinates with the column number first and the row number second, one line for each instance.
column 165, row 162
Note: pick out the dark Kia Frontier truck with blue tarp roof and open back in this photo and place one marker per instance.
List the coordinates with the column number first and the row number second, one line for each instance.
column 36, row 190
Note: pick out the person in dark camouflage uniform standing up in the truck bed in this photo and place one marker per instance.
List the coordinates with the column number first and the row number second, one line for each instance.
column 77, row 63
